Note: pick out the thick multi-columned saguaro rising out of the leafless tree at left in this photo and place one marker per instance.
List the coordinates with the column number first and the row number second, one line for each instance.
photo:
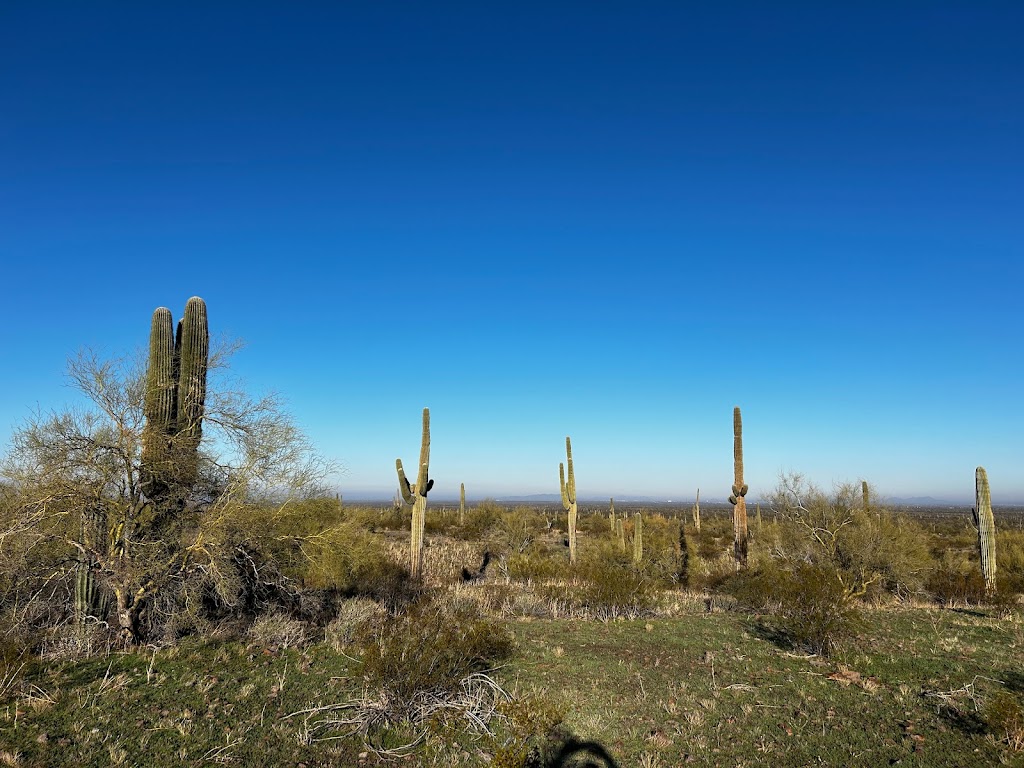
column 176, row 399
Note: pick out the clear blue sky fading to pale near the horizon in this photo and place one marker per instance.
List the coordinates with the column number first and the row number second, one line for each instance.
column 609, row 221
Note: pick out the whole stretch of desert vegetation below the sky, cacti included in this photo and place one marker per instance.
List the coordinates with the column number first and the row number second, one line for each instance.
column 178, row 585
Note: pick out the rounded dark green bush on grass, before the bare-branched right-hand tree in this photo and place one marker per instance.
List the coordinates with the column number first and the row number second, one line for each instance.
column 806, row 604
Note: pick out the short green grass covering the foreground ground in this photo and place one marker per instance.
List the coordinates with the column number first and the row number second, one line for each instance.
column 701, row 689
